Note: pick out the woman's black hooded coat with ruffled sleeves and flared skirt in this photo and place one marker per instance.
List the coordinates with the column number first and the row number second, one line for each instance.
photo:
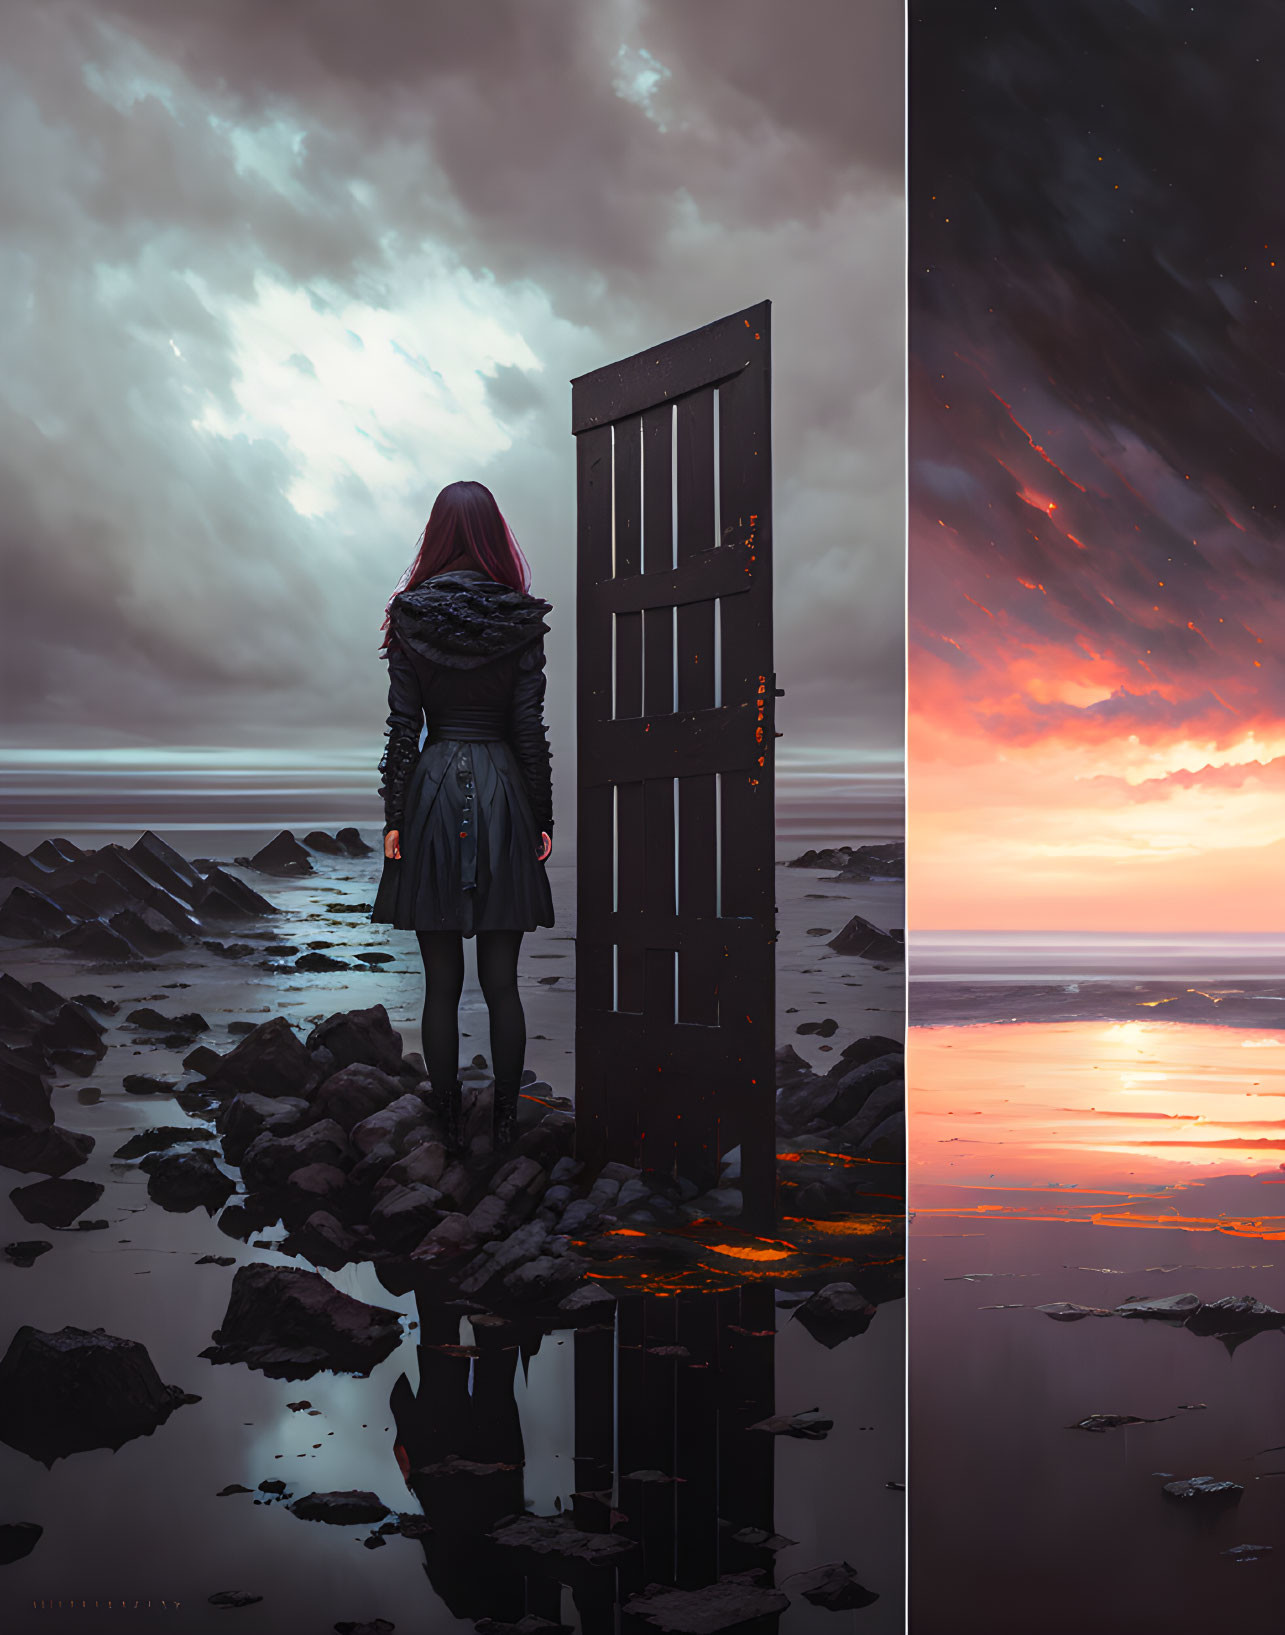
column 468, row 658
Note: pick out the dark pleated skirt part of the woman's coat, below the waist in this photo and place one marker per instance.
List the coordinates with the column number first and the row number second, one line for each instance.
column 468, row 846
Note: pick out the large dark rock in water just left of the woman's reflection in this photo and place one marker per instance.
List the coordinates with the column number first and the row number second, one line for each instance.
column 293, row 1324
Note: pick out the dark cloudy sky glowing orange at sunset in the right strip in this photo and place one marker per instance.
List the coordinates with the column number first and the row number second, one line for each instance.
column 1096, row 578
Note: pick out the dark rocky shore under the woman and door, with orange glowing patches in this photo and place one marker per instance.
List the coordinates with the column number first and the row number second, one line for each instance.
column 338, row 1137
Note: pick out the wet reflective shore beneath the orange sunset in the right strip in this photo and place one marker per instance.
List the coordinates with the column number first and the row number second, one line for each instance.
column 1091, row 1158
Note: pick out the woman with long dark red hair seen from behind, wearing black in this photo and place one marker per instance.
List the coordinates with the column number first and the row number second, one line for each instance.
column 468, row 818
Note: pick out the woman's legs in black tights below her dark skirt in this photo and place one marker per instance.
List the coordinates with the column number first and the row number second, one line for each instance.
column 444, row 983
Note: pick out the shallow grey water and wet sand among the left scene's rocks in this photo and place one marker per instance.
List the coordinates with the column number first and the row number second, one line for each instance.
column 145, row 1525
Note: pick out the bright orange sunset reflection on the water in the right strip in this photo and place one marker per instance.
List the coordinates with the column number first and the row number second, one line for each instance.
column 1096, row 1104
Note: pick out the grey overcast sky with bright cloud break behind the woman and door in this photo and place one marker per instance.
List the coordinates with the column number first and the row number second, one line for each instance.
column 272, row 275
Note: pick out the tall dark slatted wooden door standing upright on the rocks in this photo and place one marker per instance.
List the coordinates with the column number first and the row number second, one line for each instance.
column 676, row 707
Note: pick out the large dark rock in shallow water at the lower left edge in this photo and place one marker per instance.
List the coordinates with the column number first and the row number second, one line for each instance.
column 73, row 1391
